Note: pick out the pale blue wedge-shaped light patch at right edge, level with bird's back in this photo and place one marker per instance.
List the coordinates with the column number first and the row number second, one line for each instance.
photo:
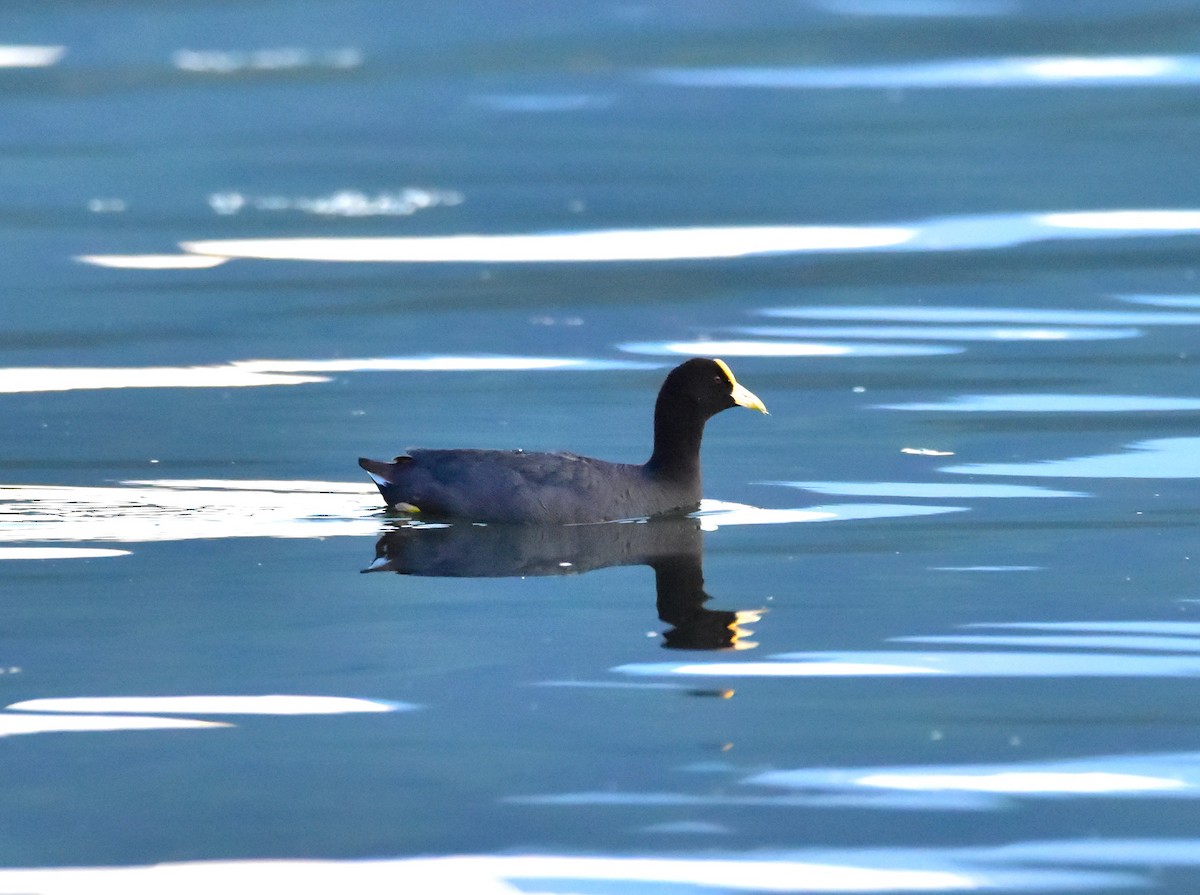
column 1159, row 459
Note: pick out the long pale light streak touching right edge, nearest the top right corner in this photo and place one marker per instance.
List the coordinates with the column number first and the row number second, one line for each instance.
column 993, row 73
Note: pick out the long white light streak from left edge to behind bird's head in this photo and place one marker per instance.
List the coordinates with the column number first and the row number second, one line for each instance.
column 277, row 373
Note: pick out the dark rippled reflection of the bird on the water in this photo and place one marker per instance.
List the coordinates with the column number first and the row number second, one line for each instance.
column 673, row 546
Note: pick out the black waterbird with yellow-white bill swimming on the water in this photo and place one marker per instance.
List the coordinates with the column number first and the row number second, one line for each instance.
column 518, row 486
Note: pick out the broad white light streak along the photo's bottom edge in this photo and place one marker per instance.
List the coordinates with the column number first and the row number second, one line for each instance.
column 807, row 872
